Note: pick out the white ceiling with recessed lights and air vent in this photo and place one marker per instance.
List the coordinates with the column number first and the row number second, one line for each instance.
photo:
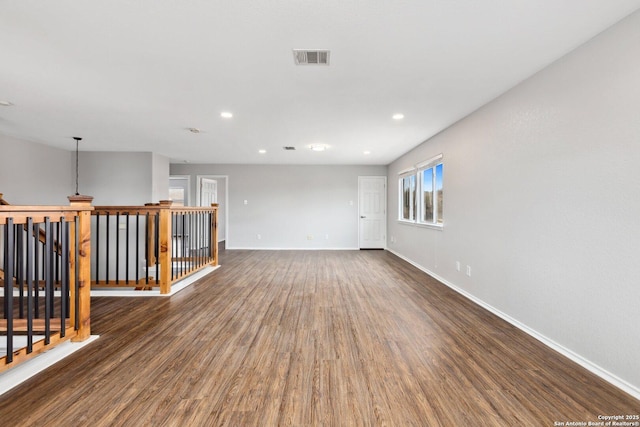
column 135, row 75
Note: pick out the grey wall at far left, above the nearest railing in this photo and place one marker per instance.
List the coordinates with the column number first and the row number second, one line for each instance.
column 35, row 174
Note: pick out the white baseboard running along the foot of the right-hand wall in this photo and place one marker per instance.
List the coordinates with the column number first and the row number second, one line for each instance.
column 585, row 363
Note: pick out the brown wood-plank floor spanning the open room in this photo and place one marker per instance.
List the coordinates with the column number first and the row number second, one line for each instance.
column 333, row 338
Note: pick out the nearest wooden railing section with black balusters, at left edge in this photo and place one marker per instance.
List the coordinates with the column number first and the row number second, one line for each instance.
column 45, row 280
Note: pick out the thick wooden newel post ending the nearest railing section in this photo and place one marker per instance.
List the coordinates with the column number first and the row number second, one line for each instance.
column 83, row 266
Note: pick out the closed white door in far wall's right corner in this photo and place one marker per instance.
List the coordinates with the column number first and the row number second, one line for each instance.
column 372, row 208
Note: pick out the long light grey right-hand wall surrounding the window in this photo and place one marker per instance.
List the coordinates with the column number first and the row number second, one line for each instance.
column 542, row 200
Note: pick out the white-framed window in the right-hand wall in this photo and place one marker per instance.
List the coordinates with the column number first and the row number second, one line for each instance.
column 421, row 193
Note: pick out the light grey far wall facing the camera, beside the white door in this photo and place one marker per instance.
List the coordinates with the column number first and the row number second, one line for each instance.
column 285, row 204
